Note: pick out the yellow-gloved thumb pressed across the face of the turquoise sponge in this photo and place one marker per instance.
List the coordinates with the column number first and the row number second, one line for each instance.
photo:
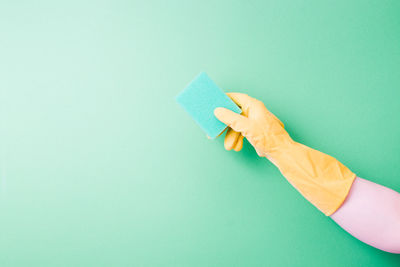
column 236, row 121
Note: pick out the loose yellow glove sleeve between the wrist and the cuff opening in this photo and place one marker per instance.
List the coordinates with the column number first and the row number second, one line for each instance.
column 320, row 178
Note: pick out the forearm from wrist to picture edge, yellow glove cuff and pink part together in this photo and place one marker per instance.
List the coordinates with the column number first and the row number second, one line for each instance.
column 368, row 211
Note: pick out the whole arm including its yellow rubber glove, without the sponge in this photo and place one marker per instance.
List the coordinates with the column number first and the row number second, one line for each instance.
column 366, row 210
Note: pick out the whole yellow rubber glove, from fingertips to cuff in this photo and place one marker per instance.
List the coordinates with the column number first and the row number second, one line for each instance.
column 320, row 178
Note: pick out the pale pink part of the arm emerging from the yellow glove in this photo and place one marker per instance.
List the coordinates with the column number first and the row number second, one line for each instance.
column 371, row 213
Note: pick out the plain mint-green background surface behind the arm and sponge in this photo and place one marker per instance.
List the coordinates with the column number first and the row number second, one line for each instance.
column 100, row 166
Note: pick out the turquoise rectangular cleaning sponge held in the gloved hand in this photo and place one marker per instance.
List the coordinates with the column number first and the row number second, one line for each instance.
column 200, row 98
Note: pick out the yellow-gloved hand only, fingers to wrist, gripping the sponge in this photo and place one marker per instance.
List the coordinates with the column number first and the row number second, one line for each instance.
column 261, row 128
